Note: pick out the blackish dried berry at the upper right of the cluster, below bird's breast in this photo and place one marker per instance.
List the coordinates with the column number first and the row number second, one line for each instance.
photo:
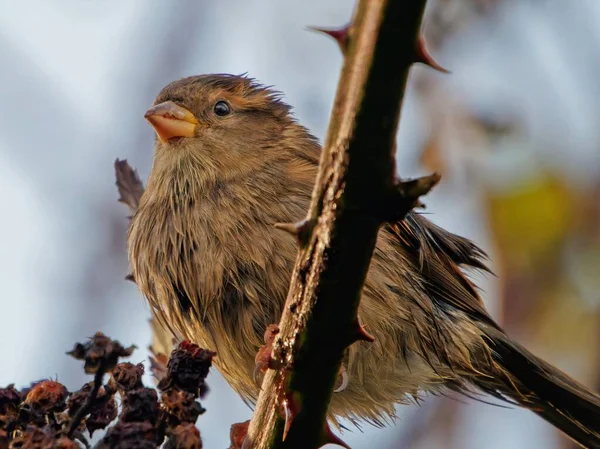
column 187, row 369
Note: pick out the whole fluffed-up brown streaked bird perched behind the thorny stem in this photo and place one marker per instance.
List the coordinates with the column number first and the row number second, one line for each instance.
column 229, row 163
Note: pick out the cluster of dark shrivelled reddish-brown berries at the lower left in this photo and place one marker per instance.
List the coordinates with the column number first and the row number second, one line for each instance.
column 48, row 416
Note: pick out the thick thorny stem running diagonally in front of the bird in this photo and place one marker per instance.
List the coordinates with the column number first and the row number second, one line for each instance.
column 356, row 192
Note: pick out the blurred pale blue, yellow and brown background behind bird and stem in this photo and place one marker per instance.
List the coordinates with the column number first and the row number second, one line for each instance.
column 513, row 129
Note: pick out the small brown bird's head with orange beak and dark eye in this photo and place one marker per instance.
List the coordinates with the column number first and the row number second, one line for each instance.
column 222, row 126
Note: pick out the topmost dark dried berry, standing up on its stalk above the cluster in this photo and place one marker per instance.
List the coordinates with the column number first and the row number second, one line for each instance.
column 100, row 350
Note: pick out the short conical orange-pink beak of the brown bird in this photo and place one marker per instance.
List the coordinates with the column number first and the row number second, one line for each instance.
column 170, row 120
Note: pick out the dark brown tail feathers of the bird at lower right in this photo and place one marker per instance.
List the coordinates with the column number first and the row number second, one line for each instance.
column 545, row 390
